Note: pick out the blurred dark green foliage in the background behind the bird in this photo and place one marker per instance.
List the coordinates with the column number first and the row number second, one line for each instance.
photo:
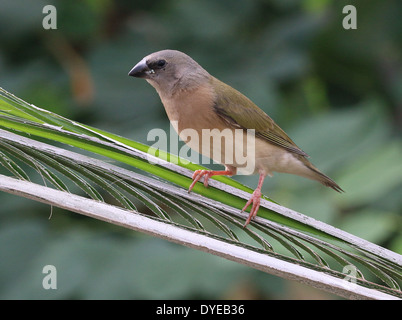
column 337, row 92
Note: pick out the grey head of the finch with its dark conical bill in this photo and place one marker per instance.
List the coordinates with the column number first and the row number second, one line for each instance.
column 169, row 71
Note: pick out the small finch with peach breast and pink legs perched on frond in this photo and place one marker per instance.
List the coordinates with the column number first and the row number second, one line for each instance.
column 197, row 102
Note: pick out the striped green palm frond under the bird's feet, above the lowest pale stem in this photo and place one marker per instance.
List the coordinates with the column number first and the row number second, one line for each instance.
column 159, row 190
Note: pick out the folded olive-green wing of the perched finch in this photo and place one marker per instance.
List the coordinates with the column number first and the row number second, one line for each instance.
column 240, row 112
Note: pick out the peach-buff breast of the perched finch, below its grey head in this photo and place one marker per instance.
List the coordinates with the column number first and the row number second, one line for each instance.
column 193, row 117
